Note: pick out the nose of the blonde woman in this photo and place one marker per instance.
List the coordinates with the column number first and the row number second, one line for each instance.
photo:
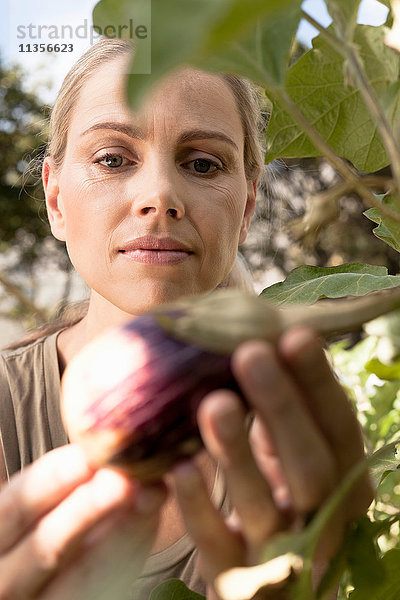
column 159, row 192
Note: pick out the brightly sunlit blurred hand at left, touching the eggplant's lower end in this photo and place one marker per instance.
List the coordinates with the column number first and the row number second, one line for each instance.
column 69, row 532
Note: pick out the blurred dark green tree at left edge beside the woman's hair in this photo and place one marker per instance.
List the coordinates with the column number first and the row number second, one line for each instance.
column 24, row 231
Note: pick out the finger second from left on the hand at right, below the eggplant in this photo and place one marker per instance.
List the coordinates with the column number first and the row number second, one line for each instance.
column 221, row 418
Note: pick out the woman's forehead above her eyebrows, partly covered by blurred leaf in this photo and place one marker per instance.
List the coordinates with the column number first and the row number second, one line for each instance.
column 185, row 97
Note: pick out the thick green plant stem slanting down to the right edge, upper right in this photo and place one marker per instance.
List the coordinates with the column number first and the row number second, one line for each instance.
column 350, row 54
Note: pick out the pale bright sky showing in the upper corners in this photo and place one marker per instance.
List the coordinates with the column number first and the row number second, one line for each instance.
column 45, row 73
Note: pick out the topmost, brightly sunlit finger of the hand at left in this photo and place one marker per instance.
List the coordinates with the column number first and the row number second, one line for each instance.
column 38, row 489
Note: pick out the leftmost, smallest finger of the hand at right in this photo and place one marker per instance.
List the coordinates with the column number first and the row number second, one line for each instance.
column 219, row 548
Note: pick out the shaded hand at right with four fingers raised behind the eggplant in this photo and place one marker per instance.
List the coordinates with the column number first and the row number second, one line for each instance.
column 303, row 440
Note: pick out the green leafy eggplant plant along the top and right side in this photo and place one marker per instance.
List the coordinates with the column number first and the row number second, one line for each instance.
column 339, row 100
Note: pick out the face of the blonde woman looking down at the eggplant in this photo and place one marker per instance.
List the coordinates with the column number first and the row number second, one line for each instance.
column 174, row 170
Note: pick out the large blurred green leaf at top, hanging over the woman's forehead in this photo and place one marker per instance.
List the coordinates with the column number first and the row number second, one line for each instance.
column 210, row 35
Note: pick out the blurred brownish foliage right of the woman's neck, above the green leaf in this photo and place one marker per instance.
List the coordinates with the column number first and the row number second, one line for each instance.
column 279, row 239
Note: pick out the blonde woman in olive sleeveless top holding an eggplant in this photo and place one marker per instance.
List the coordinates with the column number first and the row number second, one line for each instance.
column 153, row 206
